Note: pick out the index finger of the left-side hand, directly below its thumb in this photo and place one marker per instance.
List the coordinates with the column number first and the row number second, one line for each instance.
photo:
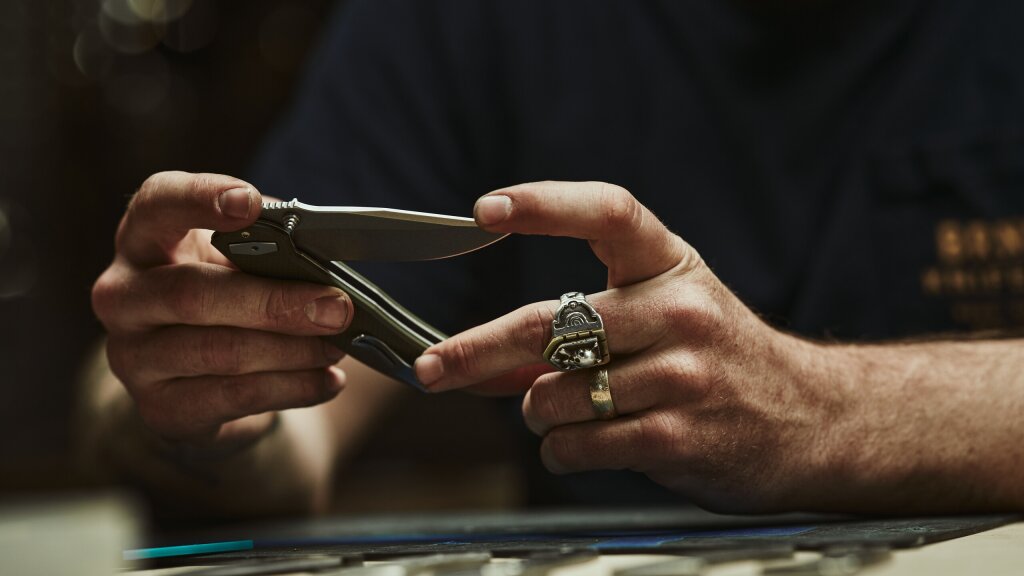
column 204, row 295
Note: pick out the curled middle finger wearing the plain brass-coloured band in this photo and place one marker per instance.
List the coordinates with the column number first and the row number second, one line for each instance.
column 636, row 384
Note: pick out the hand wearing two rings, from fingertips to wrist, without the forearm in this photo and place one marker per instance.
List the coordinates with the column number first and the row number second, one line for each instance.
column 711, row 401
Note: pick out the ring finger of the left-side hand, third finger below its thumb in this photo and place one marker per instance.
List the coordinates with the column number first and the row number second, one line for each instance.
column 196, row 408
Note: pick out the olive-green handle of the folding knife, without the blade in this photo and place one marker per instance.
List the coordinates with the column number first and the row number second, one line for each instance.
column 382, row 335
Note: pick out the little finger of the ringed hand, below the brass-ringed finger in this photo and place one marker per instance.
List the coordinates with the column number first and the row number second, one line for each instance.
column 630, row 442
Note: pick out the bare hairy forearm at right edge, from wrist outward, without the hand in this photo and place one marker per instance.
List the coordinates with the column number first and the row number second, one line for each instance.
column 936, row 427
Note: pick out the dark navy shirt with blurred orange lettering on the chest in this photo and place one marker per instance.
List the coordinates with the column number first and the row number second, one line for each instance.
column 851, row 170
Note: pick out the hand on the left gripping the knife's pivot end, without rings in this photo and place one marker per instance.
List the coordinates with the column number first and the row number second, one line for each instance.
column 209, row 353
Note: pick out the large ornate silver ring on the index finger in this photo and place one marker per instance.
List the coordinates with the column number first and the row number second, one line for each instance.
column 578, row 339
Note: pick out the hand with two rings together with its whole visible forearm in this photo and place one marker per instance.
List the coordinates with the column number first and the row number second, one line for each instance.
column 716, row 404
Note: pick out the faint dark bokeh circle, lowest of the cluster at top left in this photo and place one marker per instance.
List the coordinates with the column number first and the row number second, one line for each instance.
column 142, row 88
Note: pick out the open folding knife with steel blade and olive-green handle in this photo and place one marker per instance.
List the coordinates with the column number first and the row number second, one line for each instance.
column 296, row 241
